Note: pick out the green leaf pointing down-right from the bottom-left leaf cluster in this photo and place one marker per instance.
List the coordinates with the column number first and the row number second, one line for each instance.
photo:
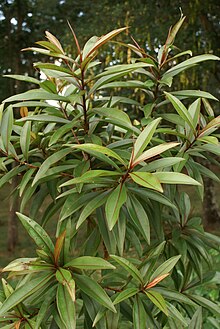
column 94, row 290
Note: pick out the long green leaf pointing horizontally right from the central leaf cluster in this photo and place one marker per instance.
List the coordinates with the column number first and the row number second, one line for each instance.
column 175, row 178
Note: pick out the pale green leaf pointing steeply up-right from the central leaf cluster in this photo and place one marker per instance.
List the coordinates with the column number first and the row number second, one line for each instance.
column 144, row 138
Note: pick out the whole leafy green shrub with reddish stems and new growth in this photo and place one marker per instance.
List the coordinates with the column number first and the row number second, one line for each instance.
column 128, row 251
